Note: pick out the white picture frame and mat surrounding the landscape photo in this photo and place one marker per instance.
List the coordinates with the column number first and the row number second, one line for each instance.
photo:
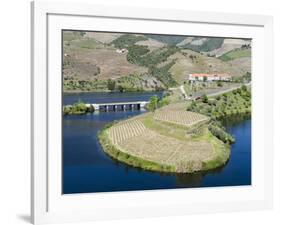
column 48, row 205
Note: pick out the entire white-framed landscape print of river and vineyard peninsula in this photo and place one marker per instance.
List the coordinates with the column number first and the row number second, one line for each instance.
column 148, row 112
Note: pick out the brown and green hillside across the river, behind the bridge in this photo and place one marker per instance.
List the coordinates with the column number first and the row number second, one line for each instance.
column 98, row 61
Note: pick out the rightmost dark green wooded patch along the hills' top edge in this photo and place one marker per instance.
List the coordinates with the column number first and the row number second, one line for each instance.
column 209, row 45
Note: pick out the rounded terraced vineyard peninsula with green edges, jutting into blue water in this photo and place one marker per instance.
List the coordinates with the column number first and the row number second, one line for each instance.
column 151, row 146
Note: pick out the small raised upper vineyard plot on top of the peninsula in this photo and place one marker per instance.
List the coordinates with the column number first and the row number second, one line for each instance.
column 180, row 117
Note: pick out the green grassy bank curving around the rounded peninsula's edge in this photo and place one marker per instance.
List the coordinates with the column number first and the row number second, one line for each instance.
column 220, row 154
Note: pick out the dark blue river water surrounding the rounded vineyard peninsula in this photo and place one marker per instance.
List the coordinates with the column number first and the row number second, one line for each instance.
column 86, row 168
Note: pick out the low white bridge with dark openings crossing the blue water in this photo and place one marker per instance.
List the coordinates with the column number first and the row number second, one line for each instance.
column 117, row 106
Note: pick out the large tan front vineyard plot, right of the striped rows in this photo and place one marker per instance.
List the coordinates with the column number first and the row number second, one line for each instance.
column 157, row 148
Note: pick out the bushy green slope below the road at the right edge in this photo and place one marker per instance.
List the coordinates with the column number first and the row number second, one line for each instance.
column 232, row 103
